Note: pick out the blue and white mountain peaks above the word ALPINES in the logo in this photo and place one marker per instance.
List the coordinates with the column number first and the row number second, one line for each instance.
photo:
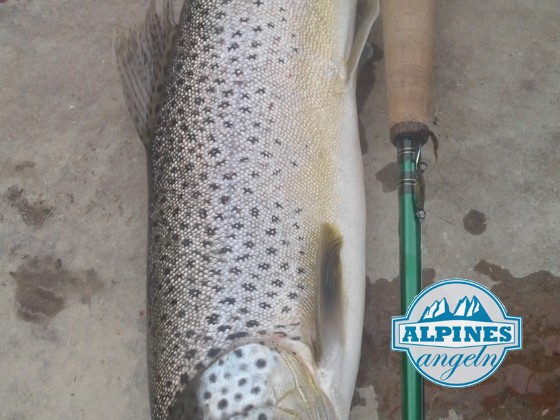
column 466, row 309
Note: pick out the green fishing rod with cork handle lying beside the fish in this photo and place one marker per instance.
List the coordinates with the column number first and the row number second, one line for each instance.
column 408, row 48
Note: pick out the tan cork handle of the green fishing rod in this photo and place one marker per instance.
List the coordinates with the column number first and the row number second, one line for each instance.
column 408, row 40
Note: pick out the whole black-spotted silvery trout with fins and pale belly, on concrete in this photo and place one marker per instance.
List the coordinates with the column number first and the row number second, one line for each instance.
column 256, row 261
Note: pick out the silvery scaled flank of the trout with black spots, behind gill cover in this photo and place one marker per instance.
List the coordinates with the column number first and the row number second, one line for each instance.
column 225, row 234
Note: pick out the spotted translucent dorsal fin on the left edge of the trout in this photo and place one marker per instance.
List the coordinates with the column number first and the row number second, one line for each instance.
column 143, row 54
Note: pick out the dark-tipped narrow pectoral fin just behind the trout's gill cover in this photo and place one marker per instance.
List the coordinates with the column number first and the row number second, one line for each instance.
column 331, row 296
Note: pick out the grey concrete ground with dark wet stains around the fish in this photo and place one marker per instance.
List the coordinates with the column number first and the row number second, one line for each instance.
column 73, row 209
